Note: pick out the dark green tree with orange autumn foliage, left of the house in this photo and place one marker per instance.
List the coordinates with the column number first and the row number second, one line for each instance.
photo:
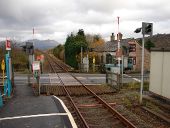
column 70, row 51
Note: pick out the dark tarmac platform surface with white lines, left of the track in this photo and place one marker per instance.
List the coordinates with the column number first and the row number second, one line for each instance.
column 25, row 110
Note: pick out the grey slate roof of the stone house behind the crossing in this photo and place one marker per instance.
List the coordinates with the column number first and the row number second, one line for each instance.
column 111, row 46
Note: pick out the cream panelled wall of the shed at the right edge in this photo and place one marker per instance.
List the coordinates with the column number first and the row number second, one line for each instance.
column 160, row 73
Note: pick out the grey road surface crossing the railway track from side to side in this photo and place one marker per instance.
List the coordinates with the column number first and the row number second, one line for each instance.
column 84, row 78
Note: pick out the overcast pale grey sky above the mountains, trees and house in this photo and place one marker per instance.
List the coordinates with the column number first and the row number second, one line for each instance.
column 55, row 19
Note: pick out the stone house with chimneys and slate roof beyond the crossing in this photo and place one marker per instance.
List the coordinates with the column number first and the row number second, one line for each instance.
column 129, row 48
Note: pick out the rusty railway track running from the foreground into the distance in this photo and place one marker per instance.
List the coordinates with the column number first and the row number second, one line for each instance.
column 92, row 112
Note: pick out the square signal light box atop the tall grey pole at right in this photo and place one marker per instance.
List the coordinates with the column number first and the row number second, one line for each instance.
column 147, row 28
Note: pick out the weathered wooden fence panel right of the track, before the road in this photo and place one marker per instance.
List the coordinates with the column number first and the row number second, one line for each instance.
column 113, row 79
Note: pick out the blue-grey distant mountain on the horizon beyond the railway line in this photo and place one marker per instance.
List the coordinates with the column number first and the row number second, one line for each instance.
column 44, row 44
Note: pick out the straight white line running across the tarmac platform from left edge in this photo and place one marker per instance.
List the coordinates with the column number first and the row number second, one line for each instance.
column 32, row 116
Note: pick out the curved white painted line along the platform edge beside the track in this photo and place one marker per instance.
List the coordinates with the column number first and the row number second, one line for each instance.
column 68, row 113
